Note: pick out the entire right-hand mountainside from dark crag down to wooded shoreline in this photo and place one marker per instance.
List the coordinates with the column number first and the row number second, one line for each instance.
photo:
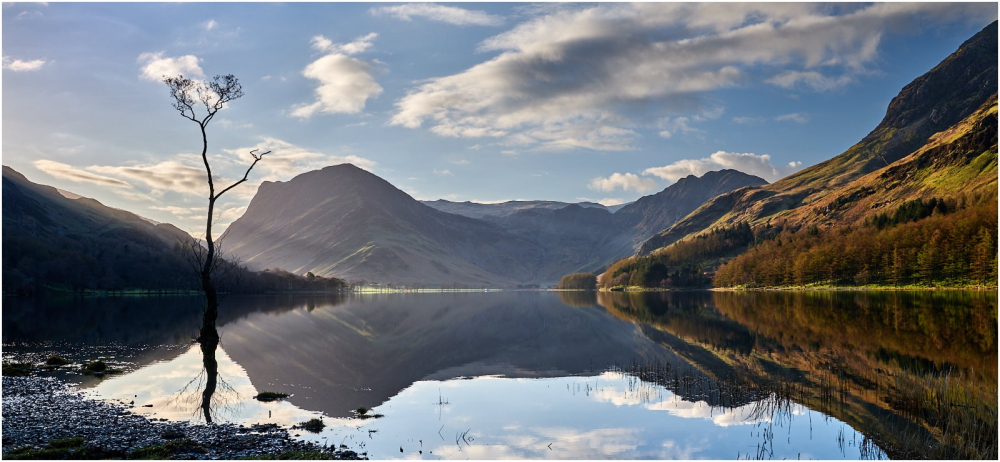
column 938, row 141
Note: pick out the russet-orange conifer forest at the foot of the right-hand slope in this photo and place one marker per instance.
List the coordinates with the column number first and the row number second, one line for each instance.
column 922, row 243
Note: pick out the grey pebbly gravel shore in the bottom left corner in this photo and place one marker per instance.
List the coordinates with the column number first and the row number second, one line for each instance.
column 37, row 410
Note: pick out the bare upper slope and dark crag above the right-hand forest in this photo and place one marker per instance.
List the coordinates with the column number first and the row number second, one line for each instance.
column 935, row 102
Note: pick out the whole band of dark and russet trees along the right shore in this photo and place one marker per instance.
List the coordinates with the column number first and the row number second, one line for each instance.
column 924, row 242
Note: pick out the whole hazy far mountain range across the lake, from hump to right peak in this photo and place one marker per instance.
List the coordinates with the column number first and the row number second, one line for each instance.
column 345, row 222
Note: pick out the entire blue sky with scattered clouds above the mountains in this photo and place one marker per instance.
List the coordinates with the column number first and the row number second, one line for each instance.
column 483, row 102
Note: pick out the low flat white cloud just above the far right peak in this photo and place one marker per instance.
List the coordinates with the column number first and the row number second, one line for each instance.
column 745, row 162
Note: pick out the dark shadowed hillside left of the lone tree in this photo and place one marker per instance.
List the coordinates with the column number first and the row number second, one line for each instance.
column 51, row 240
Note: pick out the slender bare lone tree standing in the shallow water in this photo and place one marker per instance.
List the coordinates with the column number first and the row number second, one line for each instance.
column 188, row 96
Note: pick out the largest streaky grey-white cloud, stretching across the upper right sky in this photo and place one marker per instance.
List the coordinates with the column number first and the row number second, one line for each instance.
column 575, row 77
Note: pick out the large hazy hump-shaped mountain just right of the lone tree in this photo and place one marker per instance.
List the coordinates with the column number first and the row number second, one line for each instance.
column 347, row 222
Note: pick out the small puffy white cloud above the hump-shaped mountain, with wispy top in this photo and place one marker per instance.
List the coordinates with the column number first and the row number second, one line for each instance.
column 345, row 83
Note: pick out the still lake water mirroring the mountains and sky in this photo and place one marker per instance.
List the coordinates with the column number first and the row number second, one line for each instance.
column 567, row 375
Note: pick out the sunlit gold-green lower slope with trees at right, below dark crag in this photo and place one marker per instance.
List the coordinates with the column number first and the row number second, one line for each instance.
column 853, row 235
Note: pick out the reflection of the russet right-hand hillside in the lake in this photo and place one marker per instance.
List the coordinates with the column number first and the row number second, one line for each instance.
column 872, row 359
